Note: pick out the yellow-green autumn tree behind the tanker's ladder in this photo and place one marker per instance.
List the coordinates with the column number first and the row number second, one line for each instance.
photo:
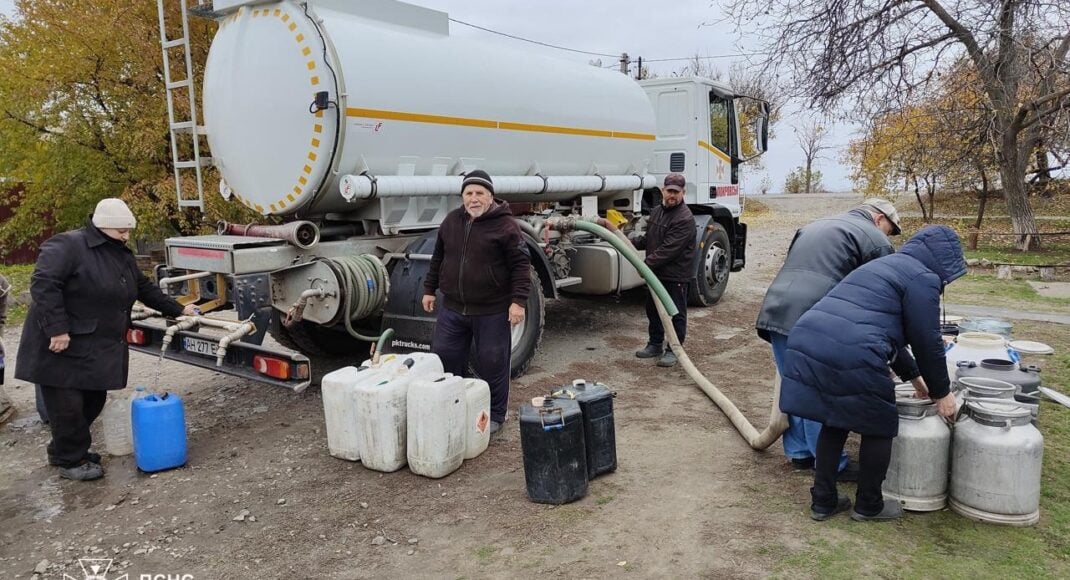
column 84, row 117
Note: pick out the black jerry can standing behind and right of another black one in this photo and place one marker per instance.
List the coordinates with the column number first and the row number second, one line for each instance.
column 600, row 432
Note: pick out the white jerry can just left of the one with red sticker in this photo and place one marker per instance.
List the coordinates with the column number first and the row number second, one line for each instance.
column 437, row 414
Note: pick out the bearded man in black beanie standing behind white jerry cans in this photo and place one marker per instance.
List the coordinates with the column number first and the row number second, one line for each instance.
column 482, row 267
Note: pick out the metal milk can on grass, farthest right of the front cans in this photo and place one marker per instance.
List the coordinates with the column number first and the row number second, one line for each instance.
column 996, row 465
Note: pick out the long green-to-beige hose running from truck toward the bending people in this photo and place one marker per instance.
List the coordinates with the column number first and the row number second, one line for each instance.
column 778, row 422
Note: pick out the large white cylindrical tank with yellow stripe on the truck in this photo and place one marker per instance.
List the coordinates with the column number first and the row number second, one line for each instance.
column 401, row 98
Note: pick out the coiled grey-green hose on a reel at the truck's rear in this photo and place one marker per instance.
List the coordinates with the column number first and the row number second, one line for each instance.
column 366, row 284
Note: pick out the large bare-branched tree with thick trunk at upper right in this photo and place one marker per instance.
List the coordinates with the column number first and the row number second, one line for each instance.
column 872, row 56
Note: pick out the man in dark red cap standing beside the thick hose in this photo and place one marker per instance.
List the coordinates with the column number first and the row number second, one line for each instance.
column 670, row 254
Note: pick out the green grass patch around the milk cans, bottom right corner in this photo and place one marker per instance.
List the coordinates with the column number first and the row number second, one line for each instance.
column 943, row 544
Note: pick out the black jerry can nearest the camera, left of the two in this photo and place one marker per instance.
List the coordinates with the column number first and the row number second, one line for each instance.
column 552, row 441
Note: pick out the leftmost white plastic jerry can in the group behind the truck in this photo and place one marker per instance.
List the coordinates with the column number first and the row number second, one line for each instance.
column 340, row 409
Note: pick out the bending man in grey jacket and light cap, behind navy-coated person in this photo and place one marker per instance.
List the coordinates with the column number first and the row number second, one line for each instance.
column 820, row 256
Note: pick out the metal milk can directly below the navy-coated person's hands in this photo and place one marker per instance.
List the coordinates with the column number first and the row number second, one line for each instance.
column 918, row 475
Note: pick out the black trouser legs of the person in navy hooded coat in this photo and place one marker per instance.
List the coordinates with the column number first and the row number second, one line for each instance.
column 874, row 457
